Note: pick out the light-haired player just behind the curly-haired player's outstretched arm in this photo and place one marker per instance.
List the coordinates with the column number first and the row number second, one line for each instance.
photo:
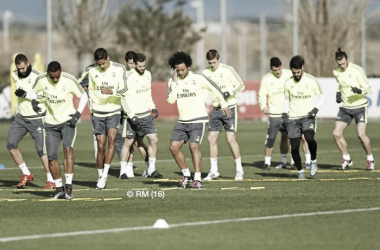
column 229, row 81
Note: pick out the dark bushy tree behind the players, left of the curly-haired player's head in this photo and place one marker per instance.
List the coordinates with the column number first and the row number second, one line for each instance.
column 147, row 28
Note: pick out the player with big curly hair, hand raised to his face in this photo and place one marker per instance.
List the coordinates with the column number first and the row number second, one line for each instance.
column 188, row 90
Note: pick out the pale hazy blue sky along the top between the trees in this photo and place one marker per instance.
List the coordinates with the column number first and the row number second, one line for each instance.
column 35, row 10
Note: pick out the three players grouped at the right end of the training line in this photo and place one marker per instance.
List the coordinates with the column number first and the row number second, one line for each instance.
column 292, row 99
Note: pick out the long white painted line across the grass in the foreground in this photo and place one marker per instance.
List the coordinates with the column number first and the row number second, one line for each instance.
column 186, row 224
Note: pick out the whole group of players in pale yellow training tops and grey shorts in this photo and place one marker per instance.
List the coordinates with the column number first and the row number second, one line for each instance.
column 123, row 112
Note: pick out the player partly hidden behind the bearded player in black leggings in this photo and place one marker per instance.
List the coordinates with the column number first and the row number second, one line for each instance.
column 272, row 92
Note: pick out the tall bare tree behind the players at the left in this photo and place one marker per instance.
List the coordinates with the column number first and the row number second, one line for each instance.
column 83, row 23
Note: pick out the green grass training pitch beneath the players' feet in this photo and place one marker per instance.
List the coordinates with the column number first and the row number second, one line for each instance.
column 261, row 194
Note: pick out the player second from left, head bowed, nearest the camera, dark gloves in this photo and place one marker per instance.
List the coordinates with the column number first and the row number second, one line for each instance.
column 58, row 87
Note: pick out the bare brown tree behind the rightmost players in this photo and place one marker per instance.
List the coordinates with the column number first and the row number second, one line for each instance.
column 325, row 25
